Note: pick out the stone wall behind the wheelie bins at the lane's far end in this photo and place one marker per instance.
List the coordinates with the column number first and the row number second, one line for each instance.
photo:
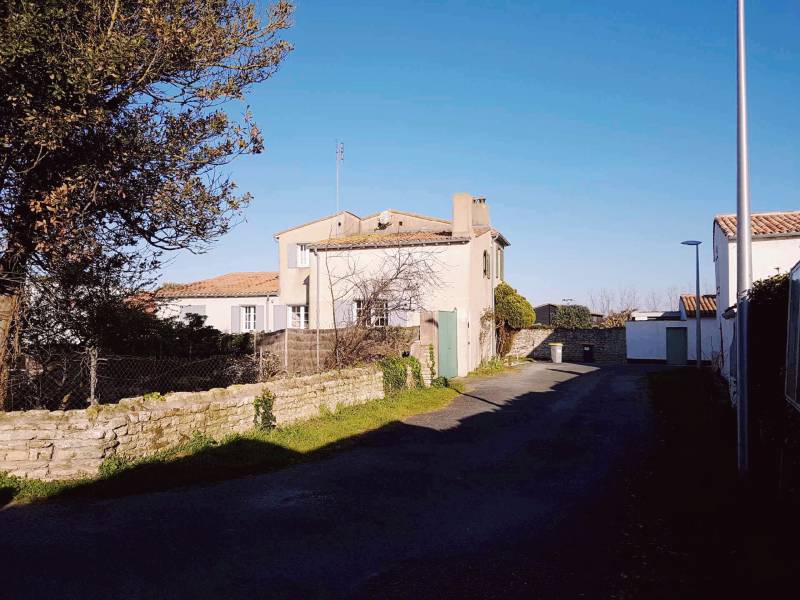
column 609, row 344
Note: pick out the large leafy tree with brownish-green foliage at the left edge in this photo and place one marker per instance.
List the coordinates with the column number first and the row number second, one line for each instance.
column 113, row 132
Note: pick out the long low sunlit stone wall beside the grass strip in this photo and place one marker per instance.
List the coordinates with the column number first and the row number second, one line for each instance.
column 52, row 445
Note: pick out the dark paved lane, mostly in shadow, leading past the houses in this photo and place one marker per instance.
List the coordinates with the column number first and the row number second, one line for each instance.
column 513, row 490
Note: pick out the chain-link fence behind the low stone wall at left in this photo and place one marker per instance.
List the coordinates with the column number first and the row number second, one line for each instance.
column 76, row 379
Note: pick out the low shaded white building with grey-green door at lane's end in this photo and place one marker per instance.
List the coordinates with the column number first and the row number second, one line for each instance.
column 670, row 337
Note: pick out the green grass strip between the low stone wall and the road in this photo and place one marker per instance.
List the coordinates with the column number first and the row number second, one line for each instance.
column 203, row 460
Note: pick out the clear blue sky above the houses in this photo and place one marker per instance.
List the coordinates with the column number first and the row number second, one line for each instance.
column 601, row 133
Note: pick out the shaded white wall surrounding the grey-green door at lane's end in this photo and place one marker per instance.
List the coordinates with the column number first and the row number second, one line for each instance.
column 647, row 340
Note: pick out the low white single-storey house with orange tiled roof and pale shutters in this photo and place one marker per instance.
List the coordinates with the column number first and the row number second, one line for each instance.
column 233, row 303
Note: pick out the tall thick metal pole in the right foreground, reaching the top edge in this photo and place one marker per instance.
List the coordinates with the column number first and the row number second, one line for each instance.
column 744, row 275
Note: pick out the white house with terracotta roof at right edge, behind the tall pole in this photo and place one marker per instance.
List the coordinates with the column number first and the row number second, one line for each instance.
column 775, row 249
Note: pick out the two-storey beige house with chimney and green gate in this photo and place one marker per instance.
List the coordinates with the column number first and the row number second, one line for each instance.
column 321, row 261
